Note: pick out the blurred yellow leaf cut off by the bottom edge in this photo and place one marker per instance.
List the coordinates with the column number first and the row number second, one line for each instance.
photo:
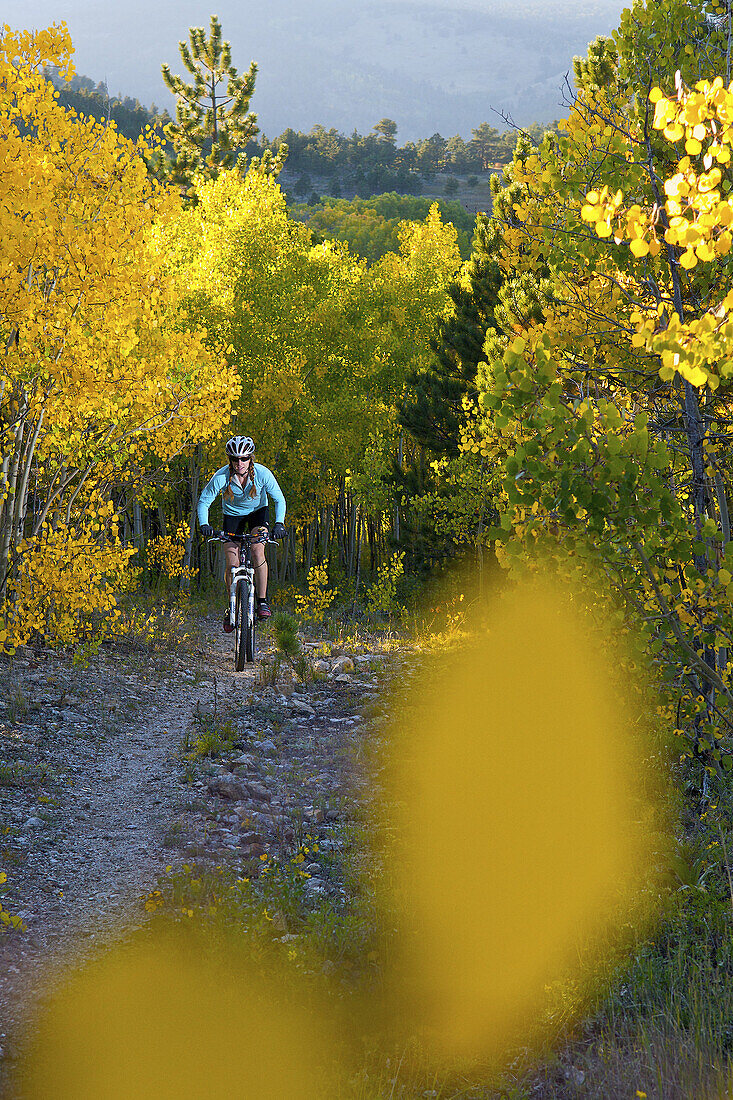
column 155, row 1021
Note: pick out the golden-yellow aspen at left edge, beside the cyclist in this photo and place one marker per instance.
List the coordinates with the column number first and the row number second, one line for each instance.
column 99, row 375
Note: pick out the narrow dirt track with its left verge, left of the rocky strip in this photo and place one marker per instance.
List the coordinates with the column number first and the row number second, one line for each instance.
column 80, row 857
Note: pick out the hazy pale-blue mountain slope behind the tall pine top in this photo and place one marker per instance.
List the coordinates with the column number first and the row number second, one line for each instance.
column 431, row 65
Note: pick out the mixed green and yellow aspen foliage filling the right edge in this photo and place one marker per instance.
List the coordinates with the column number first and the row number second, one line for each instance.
column 604, row 464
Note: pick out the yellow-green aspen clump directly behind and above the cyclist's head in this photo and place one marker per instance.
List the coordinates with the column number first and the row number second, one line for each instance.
column 322, row 343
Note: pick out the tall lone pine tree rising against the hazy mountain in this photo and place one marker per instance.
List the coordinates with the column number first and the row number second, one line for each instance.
column 213, row 126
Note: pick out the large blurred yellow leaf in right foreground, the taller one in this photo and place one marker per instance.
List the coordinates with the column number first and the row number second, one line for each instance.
column 523, row 832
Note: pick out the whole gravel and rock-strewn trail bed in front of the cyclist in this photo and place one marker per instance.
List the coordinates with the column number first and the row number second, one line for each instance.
column 99, row 795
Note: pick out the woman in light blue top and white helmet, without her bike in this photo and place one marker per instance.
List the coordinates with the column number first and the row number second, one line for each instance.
column 245, row 487
